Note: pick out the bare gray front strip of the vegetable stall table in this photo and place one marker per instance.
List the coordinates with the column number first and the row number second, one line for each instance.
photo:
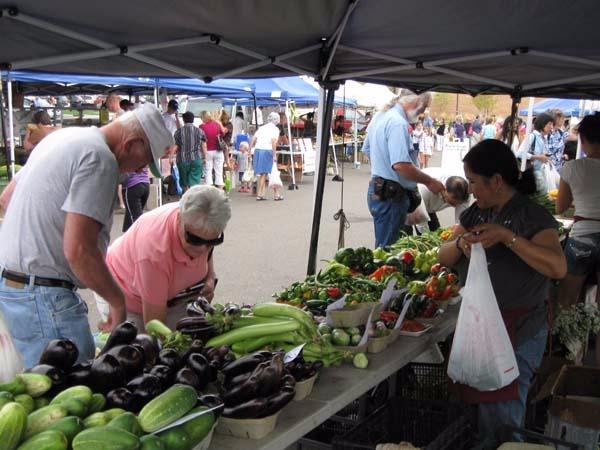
column 337, row 387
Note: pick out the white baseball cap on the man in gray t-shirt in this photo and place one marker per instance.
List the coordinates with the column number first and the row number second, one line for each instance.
column 159, row 137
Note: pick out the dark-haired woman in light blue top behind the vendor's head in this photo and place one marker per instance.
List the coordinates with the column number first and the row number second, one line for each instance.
column 537, row 150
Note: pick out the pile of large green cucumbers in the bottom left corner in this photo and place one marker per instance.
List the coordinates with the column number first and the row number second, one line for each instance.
column 29, row 420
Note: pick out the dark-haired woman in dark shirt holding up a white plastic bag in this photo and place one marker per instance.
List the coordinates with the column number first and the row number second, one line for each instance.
column 523, row 253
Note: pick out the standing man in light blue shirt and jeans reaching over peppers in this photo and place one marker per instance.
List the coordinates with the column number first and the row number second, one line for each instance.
column 394, row 166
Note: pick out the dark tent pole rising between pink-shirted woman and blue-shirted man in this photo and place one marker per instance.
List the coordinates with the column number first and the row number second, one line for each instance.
column 325, row 118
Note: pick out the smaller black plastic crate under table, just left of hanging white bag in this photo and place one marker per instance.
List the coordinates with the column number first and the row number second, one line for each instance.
column 423, row 381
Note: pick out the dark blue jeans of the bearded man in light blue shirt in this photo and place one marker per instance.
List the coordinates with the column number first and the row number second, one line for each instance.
column 388, row 217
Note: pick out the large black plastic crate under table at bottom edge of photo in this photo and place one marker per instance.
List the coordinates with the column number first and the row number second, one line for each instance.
column 428, row 424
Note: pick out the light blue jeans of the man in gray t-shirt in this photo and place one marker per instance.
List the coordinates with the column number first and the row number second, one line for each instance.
column 35, row 315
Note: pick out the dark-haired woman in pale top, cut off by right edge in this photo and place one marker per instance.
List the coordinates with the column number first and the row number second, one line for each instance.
column 580, row 185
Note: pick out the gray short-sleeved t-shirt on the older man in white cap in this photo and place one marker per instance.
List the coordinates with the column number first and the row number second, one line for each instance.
column 71, row 170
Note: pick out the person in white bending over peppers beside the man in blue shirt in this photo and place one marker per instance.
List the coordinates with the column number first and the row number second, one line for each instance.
column 456, row 195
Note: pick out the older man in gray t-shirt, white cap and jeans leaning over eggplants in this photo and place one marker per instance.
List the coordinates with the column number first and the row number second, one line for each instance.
column 57, row 228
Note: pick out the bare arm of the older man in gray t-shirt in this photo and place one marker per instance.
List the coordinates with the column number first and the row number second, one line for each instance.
column 87, row 262
